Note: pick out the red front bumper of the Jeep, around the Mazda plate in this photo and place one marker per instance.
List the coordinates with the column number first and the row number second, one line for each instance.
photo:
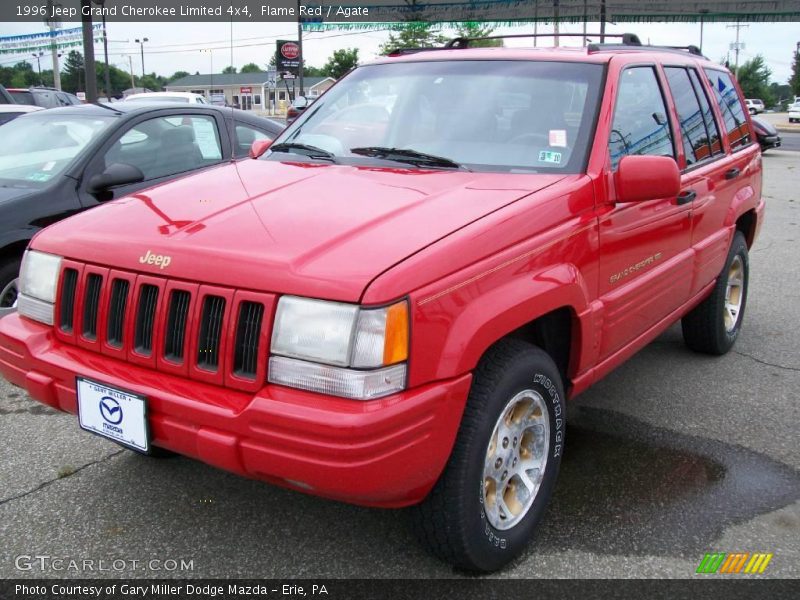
column 386, row 452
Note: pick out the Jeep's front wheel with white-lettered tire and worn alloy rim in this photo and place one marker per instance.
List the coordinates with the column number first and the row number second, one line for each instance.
column 461, row 521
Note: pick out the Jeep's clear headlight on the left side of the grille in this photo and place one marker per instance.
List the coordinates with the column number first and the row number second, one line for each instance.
column 38, row 282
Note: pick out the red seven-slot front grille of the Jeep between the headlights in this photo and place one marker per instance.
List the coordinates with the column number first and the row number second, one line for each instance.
column 167, row 325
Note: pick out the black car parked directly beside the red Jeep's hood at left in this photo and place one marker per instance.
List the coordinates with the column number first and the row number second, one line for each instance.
column 55, row 163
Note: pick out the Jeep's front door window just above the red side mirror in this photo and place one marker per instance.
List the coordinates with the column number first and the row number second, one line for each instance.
column 640, row 123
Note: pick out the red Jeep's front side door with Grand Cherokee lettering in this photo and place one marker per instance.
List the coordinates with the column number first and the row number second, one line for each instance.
column 645, row 262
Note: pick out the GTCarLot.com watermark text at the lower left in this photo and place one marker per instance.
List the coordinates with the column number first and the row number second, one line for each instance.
column 44, row 563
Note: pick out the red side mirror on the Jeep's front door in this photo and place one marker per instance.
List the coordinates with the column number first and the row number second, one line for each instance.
column 640, row 178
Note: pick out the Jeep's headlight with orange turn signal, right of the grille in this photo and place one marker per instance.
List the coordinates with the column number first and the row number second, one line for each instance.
column 366, row 346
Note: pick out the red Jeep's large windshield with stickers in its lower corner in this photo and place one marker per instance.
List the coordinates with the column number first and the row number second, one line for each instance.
column 513, row 116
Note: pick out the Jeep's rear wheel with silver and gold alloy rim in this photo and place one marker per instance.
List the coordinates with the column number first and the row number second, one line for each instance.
column 711, row 328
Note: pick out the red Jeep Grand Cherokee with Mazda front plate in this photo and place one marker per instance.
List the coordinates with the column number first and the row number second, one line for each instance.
column 392, row 304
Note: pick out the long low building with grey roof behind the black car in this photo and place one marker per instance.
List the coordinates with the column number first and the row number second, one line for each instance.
column 262, row 91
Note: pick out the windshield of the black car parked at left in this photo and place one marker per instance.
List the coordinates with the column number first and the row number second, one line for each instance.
column 37, row 147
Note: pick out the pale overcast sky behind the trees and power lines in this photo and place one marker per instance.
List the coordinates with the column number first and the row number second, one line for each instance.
column 177, row 48
